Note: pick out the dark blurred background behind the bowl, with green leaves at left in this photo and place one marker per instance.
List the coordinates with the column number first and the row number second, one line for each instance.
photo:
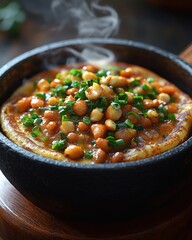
column 27, row 24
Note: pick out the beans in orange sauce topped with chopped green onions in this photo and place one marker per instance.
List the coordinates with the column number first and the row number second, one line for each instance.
column 98, row 113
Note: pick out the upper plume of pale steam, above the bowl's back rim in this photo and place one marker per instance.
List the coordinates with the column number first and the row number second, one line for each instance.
column 90, row 20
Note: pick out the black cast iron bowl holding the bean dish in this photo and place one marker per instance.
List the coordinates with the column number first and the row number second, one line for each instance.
column 104, row 191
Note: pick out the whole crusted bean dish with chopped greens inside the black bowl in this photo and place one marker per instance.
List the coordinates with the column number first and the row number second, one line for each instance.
column 93, row 114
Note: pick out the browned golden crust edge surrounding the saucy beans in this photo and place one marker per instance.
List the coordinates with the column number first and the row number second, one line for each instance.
column 182, row 129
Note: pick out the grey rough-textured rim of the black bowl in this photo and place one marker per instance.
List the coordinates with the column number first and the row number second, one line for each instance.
column 170, row 154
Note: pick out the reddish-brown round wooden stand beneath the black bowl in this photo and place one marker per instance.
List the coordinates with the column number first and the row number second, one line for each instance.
column 20, row 219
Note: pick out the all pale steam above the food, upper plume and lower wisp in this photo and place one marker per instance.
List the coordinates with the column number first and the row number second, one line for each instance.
column 88, row 18
